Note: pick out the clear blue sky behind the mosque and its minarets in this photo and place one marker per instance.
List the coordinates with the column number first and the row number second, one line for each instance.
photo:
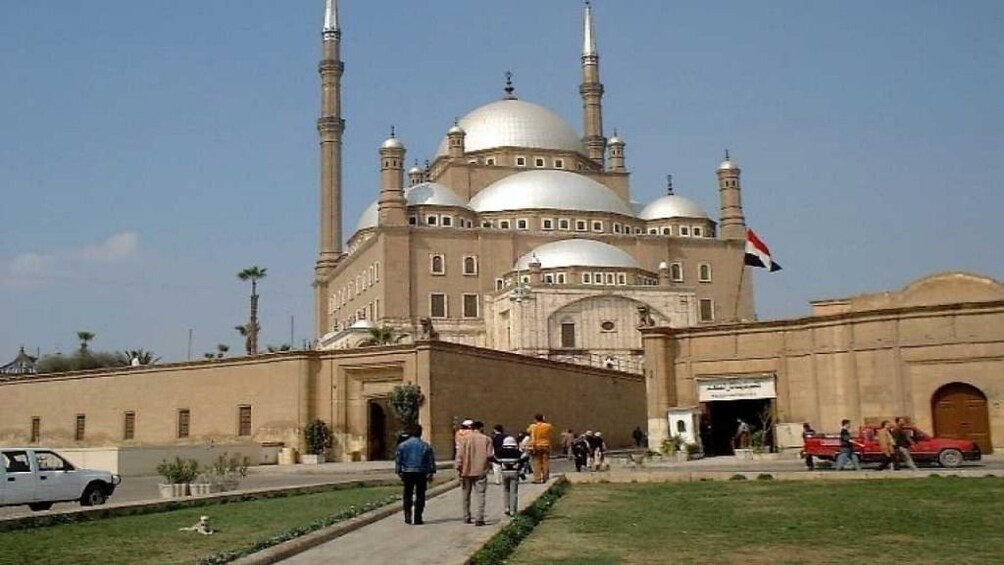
column 150, row 151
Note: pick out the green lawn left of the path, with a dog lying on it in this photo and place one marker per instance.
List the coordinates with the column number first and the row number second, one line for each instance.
column 155, row 538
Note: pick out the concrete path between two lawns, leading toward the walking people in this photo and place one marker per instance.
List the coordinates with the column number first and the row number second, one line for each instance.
column 443, row 540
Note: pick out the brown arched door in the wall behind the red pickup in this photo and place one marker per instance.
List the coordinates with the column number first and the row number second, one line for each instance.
column 960, row 412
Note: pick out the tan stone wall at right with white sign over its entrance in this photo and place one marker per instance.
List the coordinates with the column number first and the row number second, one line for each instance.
column 867, row 359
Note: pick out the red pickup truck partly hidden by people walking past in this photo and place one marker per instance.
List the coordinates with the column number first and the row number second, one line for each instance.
column 941, row 451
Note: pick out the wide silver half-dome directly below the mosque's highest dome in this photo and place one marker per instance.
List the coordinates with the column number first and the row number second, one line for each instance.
column 558, row 190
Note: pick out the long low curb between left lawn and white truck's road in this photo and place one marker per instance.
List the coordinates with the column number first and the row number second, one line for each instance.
column 155, row 506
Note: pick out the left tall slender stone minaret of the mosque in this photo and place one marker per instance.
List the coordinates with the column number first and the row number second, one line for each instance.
column 331, row 127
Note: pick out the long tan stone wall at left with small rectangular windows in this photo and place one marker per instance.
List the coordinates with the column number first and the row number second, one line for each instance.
column 200, row 404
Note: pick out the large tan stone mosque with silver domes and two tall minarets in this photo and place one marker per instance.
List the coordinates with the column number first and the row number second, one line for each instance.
column 522, row 235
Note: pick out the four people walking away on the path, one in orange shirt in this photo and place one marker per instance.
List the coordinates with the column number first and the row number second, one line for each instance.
column 477, row 455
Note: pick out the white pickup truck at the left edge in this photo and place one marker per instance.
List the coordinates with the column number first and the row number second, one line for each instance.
column 40, row 478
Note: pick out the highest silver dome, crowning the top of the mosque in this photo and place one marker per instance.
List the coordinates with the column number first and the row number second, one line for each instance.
column 516, row 124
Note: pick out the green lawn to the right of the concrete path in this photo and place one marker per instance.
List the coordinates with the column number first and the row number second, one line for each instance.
column 925, row 521
